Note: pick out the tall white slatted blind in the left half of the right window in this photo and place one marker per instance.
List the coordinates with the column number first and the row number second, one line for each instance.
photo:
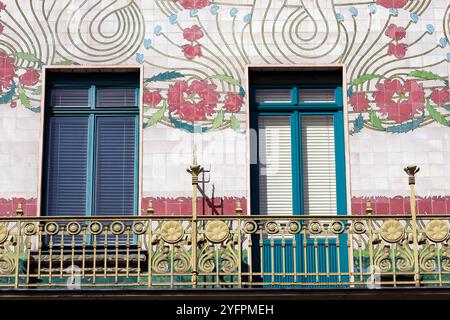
column 275, row 168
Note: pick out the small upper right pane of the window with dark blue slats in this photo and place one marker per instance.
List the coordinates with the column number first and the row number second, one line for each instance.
column 116, row 97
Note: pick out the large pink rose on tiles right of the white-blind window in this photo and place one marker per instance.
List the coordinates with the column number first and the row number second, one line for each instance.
column 399, row 102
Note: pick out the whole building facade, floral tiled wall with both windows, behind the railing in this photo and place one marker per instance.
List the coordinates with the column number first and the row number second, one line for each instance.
column 342, row 94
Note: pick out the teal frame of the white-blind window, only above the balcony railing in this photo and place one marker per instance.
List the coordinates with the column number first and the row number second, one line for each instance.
column 296, row 110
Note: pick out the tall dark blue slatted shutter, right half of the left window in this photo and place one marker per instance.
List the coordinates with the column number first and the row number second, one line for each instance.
column 115, row 166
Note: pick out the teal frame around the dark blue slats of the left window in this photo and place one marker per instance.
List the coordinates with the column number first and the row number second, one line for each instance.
column 92, row 112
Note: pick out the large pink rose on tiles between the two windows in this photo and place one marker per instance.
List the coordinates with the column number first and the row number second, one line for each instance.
column 193, row 102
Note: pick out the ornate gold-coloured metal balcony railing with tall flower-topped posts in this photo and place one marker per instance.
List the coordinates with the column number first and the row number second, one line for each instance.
column 210, row 252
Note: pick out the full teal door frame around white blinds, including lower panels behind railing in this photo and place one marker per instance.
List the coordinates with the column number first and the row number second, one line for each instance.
column 296, row 110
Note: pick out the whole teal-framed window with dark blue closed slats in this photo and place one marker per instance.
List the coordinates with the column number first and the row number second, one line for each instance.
column 91, row 144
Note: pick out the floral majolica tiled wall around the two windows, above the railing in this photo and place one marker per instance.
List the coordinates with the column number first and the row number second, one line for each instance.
column 396, row 53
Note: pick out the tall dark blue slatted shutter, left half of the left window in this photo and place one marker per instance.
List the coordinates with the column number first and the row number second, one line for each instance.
column 67, row 166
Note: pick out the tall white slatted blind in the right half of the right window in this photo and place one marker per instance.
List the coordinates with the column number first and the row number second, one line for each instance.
column 318, row 165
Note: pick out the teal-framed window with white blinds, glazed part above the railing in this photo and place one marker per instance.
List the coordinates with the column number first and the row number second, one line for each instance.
column 300, row 167
